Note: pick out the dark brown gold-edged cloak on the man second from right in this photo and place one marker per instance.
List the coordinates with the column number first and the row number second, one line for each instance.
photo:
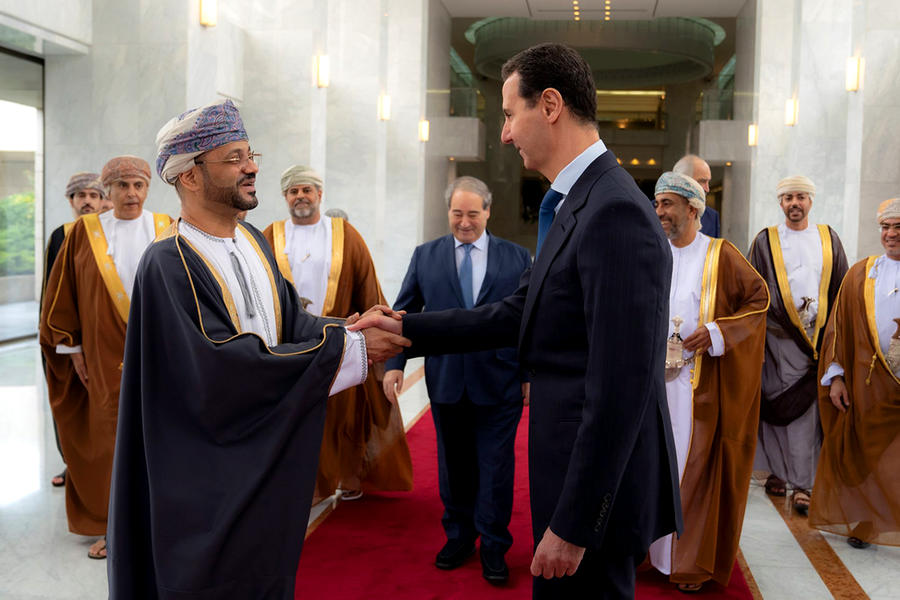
column 791, row 359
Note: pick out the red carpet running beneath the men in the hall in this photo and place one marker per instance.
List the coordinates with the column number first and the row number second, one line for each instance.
column 383, row 546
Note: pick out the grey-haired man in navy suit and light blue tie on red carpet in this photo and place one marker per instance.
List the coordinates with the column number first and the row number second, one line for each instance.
column 476, row 397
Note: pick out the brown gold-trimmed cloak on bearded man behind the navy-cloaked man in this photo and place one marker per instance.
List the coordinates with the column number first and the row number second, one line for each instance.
column 364, row 437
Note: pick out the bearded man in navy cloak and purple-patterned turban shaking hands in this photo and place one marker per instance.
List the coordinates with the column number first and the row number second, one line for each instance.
column 224, row 384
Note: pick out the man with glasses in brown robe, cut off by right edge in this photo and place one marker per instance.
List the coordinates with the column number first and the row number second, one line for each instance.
column 857, row 491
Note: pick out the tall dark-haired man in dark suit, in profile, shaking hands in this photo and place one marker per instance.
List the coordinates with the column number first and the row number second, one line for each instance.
column 590, row 324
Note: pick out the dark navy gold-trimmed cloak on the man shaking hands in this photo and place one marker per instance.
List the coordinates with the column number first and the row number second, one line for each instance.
column 218, row 435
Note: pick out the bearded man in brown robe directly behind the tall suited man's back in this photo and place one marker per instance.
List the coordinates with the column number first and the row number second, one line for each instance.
column 717, row 311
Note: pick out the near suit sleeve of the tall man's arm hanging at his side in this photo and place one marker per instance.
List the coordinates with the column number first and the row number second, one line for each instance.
column 625, row 276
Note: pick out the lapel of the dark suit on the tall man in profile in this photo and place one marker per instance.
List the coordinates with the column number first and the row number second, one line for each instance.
column 561, row 230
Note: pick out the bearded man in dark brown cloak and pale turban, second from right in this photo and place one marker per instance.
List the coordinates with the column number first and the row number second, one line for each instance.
column 803, row 267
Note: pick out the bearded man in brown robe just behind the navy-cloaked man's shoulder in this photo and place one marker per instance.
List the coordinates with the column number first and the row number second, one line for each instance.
column 364, row 445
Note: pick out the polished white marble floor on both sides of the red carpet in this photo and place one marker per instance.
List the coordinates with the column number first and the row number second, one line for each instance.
column 39, row 559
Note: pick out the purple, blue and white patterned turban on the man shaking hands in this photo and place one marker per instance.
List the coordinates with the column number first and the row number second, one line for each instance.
column 193, row 133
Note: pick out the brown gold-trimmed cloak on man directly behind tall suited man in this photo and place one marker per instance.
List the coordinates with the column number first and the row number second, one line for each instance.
column 725, row 419
